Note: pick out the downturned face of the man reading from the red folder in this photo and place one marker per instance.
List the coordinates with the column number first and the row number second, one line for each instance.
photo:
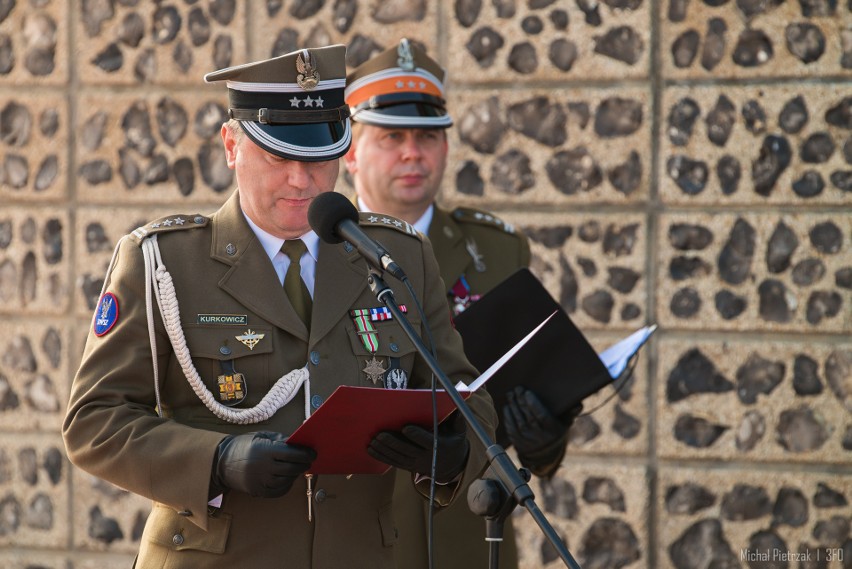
column 276, row 192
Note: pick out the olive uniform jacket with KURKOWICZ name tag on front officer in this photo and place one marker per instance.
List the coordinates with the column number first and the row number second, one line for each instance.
column 218, row 266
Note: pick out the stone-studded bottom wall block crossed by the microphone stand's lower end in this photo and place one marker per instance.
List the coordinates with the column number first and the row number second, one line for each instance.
column 599, row 510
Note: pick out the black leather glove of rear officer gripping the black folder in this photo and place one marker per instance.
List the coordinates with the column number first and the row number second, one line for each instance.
column 538, row 436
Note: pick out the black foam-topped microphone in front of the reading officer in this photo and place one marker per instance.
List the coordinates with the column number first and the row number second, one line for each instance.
column 335, row 219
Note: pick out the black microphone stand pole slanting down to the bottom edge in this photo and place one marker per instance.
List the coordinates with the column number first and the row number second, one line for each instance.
column 509, row 478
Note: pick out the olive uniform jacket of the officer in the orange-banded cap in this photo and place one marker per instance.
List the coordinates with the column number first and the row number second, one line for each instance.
column 459, row 535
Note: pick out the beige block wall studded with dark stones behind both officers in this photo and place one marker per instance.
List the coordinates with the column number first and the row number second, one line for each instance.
column 687, row 163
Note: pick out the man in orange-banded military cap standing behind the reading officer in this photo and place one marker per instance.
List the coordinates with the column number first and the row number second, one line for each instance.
column 397, row 161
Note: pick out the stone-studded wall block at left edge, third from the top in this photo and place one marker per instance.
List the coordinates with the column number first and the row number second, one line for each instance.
column 34, row 260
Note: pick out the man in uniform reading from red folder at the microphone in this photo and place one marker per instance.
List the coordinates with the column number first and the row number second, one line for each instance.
column 215, row 337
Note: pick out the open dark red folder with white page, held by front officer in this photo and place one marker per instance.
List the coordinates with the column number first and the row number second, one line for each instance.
column 341, row 429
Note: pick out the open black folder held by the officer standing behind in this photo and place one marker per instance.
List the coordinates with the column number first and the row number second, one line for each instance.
column 558, row 363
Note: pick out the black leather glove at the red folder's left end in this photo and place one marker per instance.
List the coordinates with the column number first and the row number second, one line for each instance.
column 260, row 464
